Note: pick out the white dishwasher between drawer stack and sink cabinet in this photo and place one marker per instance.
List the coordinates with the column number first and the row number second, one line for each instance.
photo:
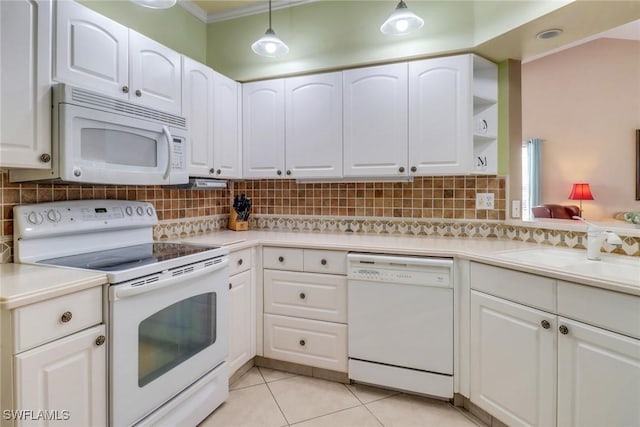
column 400, row 313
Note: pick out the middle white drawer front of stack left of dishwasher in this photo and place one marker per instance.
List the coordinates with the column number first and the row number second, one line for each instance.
column 308, row 295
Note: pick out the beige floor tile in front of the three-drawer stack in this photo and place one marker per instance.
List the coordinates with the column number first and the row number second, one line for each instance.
column 303, row 398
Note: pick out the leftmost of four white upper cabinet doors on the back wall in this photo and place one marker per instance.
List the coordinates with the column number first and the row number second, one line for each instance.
column 263, row 129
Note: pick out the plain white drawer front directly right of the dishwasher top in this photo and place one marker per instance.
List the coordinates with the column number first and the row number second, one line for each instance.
column 528, row 289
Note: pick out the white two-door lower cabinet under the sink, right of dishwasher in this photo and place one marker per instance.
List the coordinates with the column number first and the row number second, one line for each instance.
column 530, row 367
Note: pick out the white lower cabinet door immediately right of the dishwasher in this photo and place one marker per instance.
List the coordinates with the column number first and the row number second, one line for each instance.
column 513, row 361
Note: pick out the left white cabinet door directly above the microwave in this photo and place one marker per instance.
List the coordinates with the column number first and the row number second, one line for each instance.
column 91, row 50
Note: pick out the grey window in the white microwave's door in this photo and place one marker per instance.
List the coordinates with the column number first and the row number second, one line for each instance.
column 118, row 147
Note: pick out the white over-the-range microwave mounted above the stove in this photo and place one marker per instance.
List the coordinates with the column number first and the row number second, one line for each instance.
column 107, row 148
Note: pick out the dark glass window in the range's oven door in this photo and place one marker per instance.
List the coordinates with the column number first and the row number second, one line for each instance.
column 174, row 334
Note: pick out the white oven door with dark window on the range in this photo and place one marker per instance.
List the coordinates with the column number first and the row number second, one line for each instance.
column 166, row 331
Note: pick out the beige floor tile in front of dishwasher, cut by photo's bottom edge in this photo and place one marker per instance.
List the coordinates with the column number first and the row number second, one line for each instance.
column 408, row 411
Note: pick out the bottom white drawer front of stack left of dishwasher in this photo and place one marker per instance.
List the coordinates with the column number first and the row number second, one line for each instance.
column 308, row 342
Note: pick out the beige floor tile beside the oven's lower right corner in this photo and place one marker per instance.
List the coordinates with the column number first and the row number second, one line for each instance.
column 247, row 407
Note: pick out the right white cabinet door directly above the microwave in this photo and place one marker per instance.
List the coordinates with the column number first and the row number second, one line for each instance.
column 155, row 74
